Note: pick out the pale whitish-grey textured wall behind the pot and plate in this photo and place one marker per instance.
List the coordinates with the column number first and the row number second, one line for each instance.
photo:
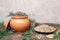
column 44, row 10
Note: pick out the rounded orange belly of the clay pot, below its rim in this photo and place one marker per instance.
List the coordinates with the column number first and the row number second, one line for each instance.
column 19, row 25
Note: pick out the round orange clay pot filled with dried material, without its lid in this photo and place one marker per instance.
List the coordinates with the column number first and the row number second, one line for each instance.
column 19, row 23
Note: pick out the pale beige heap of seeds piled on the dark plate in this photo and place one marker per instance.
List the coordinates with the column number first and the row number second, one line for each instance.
column 44, row 28
